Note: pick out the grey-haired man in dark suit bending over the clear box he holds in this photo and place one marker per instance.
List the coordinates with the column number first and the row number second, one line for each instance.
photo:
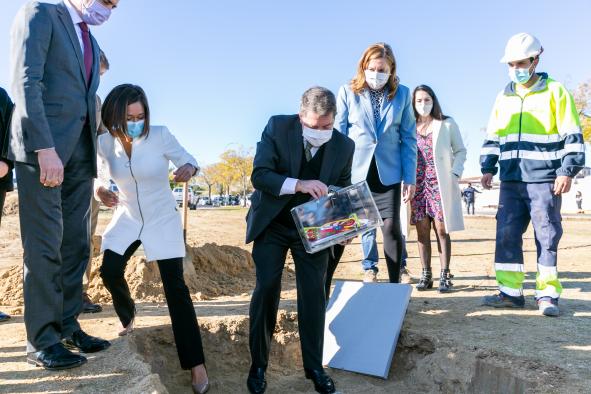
column 298, row 157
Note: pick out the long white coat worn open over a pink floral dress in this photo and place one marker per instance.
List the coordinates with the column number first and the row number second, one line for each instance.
column 449, row 156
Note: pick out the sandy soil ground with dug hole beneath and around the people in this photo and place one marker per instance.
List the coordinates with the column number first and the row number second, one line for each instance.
column 449, row 343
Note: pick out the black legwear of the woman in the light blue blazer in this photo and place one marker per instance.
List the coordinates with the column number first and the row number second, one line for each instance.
column 393, row 242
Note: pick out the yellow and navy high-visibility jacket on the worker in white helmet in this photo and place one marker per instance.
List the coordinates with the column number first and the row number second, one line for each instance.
column 536, row 137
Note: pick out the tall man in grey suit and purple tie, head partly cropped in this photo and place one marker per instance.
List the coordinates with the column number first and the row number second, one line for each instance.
column 52, row 142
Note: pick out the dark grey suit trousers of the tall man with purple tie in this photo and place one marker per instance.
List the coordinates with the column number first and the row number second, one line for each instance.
column 55, row 236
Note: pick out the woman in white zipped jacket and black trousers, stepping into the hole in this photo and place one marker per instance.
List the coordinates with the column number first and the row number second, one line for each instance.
column 136, row 155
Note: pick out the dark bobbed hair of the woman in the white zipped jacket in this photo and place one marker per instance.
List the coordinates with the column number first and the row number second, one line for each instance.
column 114, row 110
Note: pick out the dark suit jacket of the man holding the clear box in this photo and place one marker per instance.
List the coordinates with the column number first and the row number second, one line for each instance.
column 279, row 156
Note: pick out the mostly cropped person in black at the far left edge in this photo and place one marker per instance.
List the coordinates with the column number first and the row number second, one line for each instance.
column 6, row 165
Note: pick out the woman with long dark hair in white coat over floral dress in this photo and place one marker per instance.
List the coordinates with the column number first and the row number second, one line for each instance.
column 440, row 162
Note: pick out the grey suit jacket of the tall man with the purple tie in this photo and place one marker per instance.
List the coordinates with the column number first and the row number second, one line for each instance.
column 53, row 102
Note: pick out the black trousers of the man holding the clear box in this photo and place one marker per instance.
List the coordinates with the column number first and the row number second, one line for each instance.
column 269, row 252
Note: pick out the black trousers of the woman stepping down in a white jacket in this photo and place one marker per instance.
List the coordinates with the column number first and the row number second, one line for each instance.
column 182, row 314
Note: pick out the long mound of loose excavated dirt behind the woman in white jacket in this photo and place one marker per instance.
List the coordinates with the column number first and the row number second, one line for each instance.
column 210, row 271
